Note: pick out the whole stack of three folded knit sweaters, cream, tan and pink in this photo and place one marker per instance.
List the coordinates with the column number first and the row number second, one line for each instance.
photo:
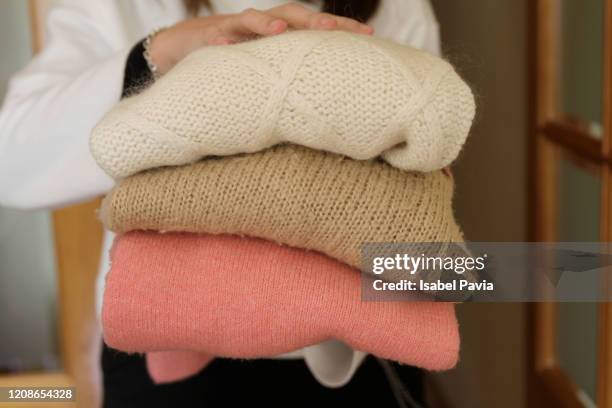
column 248, row 179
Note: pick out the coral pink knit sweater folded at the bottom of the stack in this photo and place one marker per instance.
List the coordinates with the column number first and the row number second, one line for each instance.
column 194, row 296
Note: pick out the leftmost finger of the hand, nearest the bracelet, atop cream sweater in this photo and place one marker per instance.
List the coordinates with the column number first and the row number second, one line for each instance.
column 254, row 22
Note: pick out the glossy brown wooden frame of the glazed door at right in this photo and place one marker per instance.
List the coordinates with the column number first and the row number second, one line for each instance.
column 547, row 383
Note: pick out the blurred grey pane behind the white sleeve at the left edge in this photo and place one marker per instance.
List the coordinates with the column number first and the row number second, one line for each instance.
column 28, row 320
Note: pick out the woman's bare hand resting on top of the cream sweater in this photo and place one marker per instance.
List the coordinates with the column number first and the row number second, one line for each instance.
column 171, row 45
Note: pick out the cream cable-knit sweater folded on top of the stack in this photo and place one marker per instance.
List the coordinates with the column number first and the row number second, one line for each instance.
column 354, row 95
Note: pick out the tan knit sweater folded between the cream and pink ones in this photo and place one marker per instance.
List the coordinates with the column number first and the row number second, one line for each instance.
column 290, row 195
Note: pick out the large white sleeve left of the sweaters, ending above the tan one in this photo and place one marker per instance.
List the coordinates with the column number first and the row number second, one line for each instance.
column 54, row 102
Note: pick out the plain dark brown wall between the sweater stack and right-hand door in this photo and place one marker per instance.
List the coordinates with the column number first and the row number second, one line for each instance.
column 487, row 42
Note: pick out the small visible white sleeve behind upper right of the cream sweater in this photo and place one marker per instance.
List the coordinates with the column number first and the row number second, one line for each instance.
column 410, row 22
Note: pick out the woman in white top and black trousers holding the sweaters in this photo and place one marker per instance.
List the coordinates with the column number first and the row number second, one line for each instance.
column 94, row 53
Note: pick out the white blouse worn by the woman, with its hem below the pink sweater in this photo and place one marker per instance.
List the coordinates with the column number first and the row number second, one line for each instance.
column 54, row 102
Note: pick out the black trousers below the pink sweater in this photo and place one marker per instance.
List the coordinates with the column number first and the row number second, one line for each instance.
column 236, row 383
